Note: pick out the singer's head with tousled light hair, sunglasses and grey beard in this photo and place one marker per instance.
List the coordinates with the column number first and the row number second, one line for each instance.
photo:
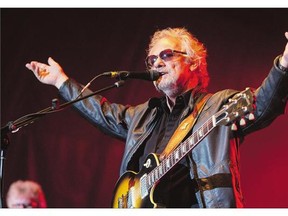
column 177, row 52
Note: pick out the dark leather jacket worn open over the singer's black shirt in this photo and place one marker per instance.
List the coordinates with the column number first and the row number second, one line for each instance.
column 216, row 155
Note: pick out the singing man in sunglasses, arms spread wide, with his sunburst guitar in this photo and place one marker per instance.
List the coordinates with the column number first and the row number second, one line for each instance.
column 157, row 170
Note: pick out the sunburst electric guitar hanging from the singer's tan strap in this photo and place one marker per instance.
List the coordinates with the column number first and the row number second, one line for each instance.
column 135, row 190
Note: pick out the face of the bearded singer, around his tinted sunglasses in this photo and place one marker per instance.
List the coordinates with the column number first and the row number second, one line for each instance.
column 177, row 67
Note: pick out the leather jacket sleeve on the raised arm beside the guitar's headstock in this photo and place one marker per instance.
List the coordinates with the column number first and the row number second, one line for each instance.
column 270, row 99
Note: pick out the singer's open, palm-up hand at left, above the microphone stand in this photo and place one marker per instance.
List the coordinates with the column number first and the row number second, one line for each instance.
column 51, row 74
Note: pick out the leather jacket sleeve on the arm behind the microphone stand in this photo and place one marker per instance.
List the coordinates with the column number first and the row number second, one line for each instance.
column 110, row 118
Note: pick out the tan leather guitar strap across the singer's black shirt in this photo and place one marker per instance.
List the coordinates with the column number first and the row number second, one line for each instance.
column 184, row 127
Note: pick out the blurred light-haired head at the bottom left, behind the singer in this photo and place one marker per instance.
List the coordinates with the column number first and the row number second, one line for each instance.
column 25, row 194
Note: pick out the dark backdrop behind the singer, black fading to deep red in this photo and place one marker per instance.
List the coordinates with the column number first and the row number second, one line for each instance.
column 74, row 162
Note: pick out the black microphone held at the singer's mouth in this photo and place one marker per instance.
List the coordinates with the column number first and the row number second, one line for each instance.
column 149, row 75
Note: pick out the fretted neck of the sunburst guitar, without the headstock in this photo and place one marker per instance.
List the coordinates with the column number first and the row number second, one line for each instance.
column 180, row 152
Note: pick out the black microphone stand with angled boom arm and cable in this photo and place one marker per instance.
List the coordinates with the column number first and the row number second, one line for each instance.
column 14, row 126
